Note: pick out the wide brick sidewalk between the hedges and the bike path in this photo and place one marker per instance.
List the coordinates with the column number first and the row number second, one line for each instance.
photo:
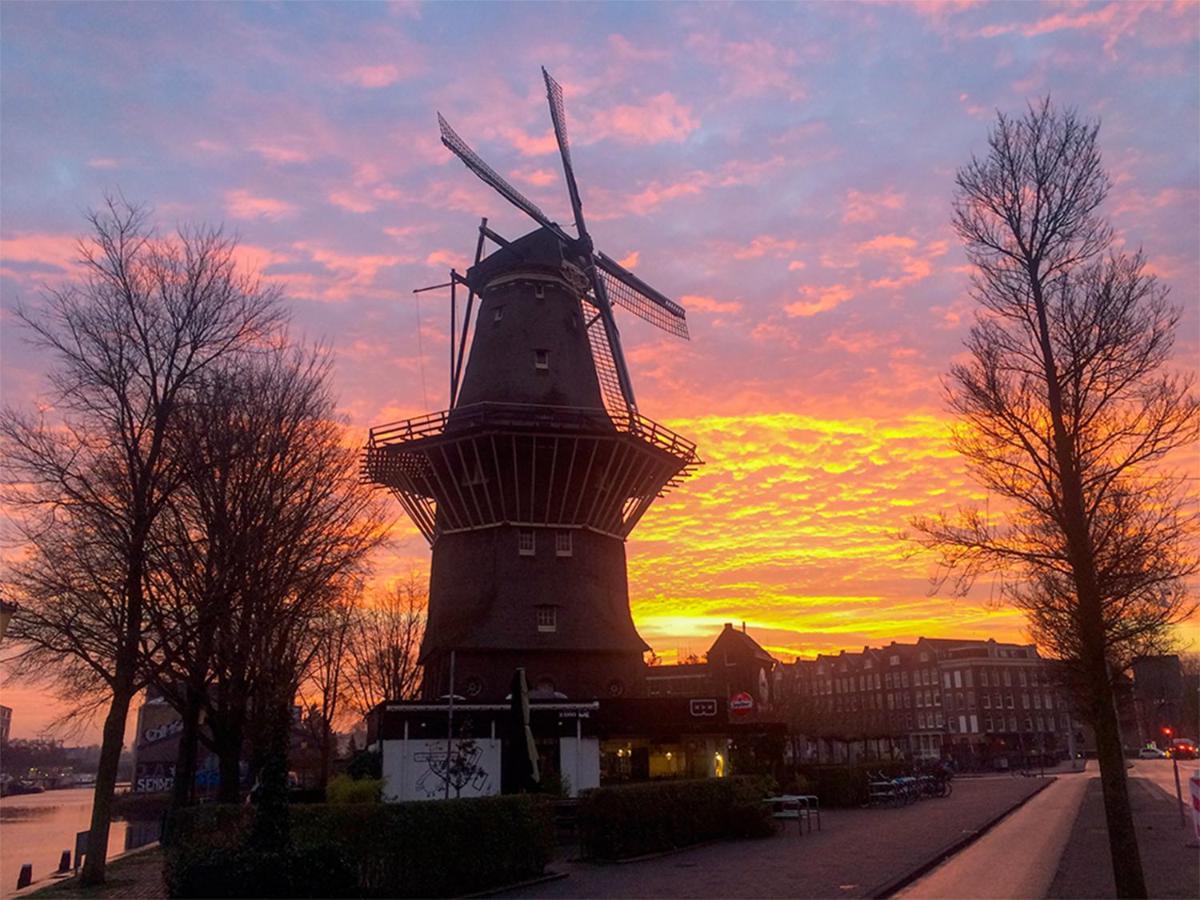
column 857, row 854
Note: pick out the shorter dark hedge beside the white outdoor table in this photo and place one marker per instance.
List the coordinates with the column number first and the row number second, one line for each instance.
column 634, row 820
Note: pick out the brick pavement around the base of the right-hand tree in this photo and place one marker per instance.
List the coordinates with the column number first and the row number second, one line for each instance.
column 1171, row 866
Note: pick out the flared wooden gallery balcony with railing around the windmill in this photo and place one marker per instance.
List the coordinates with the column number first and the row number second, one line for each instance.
column 488, row 465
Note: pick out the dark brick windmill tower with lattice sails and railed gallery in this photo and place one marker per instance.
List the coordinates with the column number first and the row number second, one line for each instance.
column 529, row 485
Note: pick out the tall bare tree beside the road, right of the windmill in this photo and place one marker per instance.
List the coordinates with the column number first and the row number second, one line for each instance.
column 1070, row 415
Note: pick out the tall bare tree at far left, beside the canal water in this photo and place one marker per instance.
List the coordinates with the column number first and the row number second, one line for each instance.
column 129, row 340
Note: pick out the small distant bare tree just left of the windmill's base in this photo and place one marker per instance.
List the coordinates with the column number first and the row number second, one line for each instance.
column 383, row 645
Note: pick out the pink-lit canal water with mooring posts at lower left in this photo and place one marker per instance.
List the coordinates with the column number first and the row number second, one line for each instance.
column 38, row 827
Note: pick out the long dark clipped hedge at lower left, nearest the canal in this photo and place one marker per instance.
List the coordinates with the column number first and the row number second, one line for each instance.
column 434, row 849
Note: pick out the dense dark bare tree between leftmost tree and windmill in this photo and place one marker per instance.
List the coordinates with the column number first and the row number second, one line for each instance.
column 273, row 530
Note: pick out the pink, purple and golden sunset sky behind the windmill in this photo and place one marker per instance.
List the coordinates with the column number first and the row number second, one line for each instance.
column 783, row 171
